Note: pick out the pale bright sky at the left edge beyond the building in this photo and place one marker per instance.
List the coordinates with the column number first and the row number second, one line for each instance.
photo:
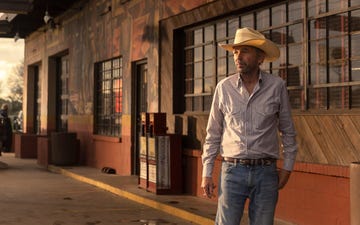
column 11, row 53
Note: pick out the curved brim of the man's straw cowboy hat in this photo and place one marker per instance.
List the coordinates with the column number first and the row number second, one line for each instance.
column 272, row 52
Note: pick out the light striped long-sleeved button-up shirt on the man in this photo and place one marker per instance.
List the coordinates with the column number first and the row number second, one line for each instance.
column 246, row 126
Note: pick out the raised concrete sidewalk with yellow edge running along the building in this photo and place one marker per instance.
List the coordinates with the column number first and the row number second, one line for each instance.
column 191, row 208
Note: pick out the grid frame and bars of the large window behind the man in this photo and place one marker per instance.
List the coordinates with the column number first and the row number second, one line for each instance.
column 299, row 91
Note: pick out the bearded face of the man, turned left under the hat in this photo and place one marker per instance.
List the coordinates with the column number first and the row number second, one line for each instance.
column 247, row 59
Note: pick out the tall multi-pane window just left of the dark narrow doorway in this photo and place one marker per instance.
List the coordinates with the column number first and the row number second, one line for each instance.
column 108, row 97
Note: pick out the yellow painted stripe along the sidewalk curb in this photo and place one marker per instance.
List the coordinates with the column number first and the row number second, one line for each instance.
column 148, row 202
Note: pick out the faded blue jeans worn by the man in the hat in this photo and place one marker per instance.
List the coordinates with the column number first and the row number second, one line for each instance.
column 239, row 182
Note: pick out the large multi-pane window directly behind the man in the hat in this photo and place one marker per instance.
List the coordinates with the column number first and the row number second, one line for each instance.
column 319, row 61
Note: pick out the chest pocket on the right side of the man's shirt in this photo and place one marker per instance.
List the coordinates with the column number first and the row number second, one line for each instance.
column 265, row 115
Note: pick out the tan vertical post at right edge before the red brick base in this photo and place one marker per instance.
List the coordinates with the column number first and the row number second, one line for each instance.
column 355, row 193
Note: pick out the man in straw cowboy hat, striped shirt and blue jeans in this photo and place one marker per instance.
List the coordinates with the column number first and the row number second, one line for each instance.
column 248, row 110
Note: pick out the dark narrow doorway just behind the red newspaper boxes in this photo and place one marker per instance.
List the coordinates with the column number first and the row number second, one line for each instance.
column 139, row 98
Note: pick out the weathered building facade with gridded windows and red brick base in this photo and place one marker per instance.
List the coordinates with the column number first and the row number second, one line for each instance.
column 100, row 64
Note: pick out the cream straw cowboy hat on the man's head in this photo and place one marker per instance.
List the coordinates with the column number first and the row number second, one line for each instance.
column 250, row 37
